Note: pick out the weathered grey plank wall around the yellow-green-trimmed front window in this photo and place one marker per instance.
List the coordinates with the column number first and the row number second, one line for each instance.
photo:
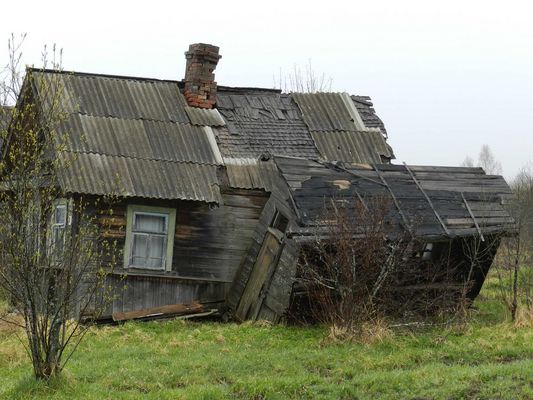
column 209, row 245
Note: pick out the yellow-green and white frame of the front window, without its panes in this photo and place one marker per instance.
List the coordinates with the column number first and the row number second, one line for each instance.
column 170, row 217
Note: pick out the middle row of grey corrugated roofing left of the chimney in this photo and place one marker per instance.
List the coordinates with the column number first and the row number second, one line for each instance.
column 137, row 138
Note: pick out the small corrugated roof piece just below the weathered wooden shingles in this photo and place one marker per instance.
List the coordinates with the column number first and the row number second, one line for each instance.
column 250, row 173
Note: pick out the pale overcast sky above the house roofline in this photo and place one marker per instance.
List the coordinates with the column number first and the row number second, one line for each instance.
column 445, row 77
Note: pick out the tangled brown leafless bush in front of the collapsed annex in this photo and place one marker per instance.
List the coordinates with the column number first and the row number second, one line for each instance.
column 360, row 268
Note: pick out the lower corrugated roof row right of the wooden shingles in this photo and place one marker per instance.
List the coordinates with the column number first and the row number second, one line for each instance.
column 364, row 147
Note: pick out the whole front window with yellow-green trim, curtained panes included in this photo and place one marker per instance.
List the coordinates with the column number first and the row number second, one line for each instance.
column 149, row 237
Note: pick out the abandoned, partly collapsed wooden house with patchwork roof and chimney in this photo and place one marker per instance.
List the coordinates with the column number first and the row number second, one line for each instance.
column 219, row 187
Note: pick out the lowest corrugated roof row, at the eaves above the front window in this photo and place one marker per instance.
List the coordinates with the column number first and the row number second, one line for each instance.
column 127, row 177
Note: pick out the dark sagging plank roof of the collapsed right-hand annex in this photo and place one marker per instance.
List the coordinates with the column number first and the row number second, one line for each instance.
column 434, row 202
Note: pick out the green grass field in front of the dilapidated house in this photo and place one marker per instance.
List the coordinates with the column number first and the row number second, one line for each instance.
column 487, row 359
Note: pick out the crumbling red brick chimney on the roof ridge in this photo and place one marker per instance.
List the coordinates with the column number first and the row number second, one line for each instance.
column 200, row 86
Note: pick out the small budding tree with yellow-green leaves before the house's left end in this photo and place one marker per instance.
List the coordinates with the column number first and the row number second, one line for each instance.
column 52, row 261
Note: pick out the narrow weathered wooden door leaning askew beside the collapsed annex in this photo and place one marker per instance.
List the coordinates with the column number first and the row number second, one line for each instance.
column 265, row 262
